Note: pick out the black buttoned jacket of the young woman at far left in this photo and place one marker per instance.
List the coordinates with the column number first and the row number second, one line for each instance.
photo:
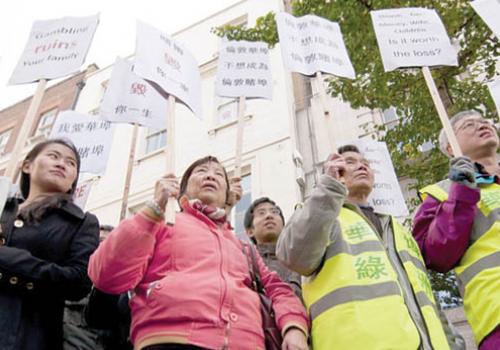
column 41, row 266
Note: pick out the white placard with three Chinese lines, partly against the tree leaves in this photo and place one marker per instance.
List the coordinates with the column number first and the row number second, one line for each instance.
column 311, row 44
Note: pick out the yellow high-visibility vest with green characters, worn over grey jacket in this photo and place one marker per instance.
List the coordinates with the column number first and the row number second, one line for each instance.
column 356, row 302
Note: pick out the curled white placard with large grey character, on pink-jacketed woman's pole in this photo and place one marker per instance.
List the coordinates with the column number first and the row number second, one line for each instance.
column 162, row 60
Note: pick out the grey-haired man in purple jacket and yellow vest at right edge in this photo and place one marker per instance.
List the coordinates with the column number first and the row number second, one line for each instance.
column 457, row 226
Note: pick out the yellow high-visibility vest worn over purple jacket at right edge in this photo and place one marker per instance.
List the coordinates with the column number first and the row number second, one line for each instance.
column 478, row 271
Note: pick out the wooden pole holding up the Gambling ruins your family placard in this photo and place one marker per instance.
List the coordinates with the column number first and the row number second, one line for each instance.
column 12, row 166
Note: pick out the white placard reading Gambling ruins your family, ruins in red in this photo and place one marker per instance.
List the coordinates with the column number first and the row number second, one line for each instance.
column 55, row 48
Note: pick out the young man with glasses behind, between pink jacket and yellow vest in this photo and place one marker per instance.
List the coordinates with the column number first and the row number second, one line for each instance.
column 263, row 223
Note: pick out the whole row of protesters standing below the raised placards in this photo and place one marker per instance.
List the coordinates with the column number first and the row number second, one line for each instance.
column 339, row 275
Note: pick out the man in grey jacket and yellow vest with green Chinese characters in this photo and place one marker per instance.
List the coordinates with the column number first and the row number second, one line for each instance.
column 367, row 286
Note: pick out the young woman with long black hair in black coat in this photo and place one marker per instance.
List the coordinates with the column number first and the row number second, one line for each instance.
column 45, row 244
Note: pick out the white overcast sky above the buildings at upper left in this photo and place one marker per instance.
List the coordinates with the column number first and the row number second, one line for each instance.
column 115, row 35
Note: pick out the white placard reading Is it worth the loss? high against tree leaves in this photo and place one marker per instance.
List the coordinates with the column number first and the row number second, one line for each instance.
column 412, row 37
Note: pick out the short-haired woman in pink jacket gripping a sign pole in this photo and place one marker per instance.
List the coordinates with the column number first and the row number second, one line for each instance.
column 190, row 282
